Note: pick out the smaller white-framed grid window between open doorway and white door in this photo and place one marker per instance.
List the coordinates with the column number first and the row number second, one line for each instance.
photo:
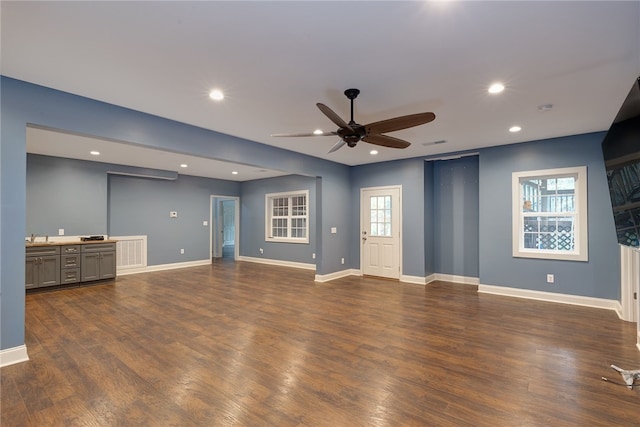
column 287, row 217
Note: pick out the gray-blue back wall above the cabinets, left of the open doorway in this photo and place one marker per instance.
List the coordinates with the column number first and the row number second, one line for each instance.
column 82, row 198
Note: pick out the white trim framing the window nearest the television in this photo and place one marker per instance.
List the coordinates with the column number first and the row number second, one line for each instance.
column 581, row 238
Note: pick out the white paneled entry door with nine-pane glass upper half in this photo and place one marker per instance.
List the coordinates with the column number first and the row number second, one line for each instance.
column 380, row 210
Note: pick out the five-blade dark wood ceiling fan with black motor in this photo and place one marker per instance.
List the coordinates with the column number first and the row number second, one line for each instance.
column 351, row 133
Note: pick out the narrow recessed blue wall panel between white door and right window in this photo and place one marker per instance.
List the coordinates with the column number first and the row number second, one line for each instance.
column 455, row 208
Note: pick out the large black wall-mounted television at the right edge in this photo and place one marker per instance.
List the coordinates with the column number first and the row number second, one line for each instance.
column 621, row 151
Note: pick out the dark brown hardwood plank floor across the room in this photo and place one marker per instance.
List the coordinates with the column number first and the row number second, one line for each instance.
column 252, row 345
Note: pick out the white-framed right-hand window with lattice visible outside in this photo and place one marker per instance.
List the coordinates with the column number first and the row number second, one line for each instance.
column 550, row 214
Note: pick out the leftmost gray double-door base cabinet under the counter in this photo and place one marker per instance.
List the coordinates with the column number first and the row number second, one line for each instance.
column 42, row 266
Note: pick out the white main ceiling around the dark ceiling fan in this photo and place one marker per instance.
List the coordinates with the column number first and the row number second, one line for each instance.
column 276, row 60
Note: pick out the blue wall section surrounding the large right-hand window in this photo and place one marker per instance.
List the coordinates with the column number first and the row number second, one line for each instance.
column 600, row 277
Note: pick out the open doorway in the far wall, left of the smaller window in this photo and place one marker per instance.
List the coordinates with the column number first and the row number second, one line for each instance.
column 225, row 228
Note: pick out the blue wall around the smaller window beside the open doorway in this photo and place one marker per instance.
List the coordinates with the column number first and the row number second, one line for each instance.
column 252, row 219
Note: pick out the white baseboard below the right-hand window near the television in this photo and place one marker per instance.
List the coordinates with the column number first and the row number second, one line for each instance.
column 552, row 297
